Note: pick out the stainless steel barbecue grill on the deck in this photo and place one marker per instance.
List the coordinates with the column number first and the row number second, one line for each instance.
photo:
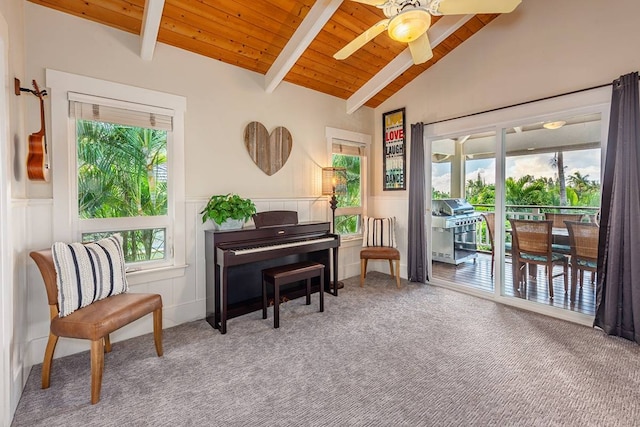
column 453, row 224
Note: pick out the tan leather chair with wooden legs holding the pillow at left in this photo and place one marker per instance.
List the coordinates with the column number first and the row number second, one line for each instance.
column 94, row 322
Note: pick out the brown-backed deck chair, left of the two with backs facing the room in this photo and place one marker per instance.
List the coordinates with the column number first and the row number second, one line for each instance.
column 532, row 245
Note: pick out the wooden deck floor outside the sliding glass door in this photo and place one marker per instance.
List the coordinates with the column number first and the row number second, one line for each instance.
column 478, row 275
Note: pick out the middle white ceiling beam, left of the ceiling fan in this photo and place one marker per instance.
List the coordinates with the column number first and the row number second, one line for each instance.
column 317, row 17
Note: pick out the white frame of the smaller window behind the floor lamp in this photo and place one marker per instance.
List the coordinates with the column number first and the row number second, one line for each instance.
column 341, row 136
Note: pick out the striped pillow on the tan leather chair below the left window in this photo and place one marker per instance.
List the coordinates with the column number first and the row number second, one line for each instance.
column 88, row 272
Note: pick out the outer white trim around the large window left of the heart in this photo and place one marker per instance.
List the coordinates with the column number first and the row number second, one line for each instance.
column 62, row 161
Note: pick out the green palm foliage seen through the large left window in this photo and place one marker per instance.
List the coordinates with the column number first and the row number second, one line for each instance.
column 122, row 173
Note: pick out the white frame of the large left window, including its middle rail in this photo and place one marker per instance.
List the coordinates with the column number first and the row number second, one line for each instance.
column 68, row 226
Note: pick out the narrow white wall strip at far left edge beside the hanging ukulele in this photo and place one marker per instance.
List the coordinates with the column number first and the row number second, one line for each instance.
column 12, row 290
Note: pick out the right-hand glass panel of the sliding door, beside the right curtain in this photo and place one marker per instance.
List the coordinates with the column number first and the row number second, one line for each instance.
column 552, row 172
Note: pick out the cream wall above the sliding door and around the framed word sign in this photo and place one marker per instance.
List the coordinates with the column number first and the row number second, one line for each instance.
column 543, row 48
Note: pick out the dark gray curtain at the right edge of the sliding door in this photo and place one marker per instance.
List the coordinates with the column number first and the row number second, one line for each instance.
column 618, row 296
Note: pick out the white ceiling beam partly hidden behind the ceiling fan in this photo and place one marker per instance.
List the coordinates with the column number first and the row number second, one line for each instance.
column 442, row 29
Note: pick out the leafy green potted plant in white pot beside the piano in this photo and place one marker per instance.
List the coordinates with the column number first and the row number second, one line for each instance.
column 228, row 211
